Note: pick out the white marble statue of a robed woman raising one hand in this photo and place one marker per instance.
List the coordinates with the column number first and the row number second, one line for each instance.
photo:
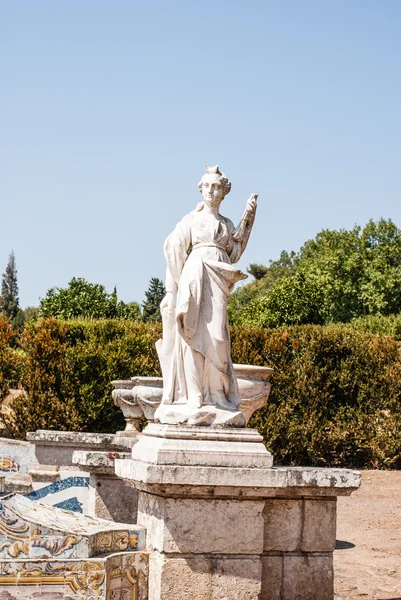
column 199, row 384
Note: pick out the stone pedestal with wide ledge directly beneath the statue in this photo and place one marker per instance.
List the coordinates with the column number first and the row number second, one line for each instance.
column 223, row 524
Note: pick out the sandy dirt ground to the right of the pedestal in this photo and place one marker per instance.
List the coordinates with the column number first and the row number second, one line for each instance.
column 367, row 563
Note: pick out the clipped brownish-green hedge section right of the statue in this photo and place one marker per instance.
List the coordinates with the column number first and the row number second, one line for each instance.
column 335, row 398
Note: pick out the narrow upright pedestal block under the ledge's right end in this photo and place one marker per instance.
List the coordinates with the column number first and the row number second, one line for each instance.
column 319, row 526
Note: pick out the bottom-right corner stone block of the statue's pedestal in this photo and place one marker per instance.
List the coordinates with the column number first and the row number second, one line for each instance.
column 308, row 577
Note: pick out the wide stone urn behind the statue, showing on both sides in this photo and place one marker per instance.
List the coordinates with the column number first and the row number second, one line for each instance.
column 139, row 397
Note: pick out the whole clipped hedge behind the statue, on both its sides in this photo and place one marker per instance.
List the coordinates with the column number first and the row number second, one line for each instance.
column 335, row 398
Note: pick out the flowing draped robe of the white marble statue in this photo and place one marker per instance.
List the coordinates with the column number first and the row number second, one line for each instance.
column 195, row 352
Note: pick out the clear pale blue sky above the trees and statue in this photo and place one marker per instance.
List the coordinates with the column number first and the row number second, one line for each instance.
column 109, row 110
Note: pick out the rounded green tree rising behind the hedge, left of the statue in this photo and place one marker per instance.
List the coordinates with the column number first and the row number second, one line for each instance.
column 86, row 300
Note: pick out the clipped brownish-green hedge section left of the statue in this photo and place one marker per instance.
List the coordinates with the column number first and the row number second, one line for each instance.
column 68, row 367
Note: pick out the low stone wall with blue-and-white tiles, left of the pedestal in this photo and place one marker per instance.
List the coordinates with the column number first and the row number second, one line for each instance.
column 42, row 468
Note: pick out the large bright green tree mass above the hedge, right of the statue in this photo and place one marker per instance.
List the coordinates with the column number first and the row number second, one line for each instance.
column 336, row 277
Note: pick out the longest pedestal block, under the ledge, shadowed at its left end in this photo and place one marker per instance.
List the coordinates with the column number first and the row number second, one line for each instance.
column 202, row 526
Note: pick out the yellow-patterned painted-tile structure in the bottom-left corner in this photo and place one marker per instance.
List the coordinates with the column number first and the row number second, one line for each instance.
column 46, row 552
